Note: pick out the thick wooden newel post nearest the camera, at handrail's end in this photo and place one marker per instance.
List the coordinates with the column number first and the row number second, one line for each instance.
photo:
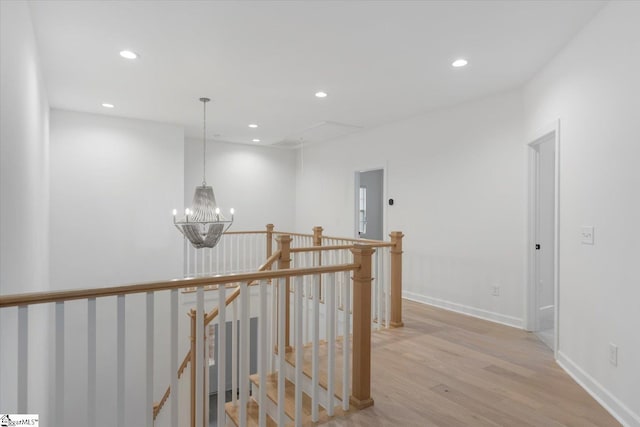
column 361, row 356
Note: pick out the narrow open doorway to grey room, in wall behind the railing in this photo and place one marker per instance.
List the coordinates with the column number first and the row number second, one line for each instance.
column 369, row 204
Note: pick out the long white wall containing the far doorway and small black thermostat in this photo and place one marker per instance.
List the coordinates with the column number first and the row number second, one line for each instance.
column 458, row 180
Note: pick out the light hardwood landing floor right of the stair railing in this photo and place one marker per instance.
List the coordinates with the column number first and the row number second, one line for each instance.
column 448, row 369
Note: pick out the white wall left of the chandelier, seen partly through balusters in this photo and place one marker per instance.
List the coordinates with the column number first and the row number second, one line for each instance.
column 114, row 183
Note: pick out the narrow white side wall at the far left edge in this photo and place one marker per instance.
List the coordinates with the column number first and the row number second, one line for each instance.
column 24, row 200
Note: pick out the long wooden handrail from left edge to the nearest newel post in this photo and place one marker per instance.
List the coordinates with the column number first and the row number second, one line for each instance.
column 59, row 296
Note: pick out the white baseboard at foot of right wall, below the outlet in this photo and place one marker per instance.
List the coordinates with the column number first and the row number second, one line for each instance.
column 616, row 408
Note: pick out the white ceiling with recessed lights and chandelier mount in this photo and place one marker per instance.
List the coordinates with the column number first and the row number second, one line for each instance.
column 262, row 61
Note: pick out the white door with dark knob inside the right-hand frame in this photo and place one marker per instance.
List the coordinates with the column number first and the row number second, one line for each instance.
column 545, row 240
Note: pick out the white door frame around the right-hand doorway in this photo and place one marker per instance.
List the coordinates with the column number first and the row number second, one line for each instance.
column 552, row 129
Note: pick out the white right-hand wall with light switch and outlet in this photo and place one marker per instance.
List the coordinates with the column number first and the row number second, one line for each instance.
column 594, row 89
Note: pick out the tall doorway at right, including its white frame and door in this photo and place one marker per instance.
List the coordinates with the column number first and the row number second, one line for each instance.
column 543, row 238
